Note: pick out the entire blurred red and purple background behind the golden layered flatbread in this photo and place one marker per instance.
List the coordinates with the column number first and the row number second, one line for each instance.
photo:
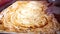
column 53, row 6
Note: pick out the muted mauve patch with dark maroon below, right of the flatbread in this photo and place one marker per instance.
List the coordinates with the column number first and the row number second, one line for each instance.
column 56, row 11
